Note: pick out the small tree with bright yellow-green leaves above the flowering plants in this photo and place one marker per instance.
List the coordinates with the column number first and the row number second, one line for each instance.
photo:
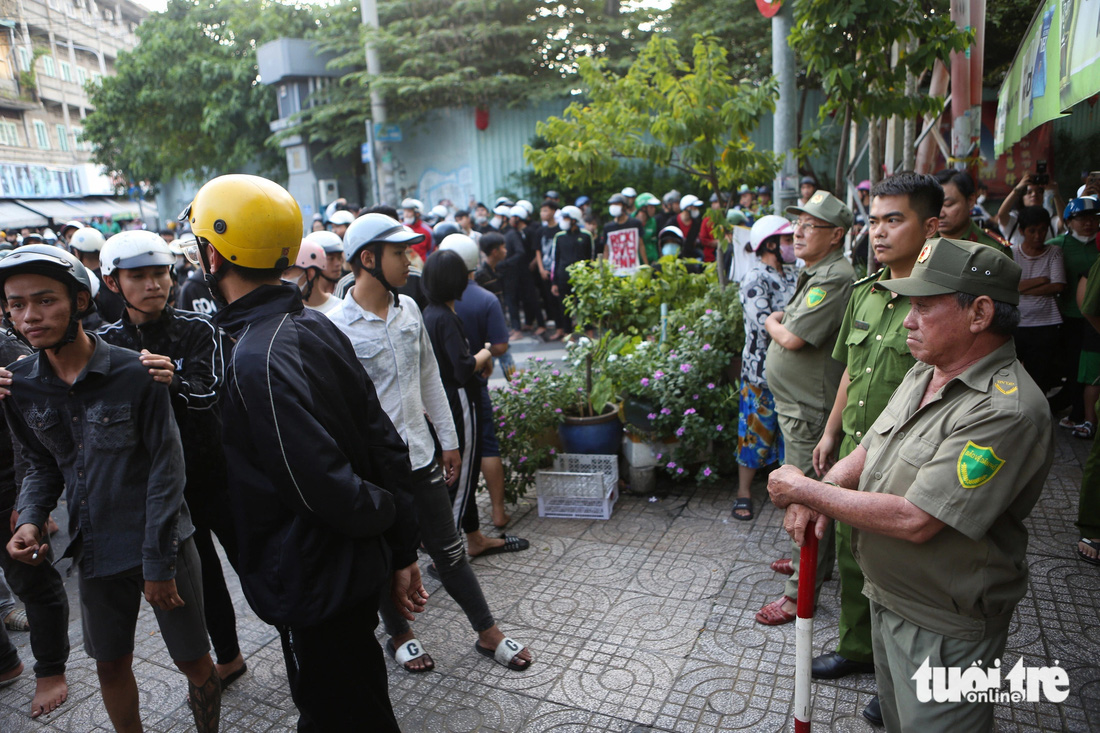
column 689, row 116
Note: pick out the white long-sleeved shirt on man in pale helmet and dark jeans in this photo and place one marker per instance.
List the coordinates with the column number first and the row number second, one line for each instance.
column 398, row 356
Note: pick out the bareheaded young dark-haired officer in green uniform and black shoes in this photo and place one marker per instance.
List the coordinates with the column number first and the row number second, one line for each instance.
column 905, row 213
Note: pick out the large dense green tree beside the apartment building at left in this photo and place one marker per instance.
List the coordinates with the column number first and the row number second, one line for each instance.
column 188, row 100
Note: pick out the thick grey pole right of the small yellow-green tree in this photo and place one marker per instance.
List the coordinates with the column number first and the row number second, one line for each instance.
column 783, row 65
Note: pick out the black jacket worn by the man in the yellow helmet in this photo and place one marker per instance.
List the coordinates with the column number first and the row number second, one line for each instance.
column 320, row 477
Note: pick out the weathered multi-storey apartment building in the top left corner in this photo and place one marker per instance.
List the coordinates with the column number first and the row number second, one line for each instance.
column 50, row 50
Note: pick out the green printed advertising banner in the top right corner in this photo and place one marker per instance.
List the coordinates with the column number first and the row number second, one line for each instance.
column 1057, row 68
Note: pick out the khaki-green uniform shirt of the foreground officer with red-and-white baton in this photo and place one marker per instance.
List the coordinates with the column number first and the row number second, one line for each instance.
column 976, row 458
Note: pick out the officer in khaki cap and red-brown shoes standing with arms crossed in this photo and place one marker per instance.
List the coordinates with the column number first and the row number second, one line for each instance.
column 802, row 374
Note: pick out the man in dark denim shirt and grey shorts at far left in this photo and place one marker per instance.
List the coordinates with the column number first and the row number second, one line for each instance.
column 89, row 421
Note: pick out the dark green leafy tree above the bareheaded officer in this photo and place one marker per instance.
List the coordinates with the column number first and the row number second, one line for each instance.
column 849, row 43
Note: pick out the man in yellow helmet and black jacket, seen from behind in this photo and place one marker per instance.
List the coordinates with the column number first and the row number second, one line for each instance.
column 318, row 474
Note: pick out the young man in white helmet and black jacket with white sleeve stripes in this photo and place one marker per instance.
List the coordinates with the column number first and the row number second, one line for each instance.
column 186, row 349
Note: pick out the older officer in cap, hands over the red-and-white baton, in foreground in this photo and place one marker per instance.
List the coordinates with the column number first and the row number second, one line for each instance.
column 939, row 490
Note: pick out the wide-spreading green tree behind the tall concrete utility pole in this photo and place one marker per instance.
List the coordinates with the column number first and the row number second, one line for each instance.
column 477, row 53
